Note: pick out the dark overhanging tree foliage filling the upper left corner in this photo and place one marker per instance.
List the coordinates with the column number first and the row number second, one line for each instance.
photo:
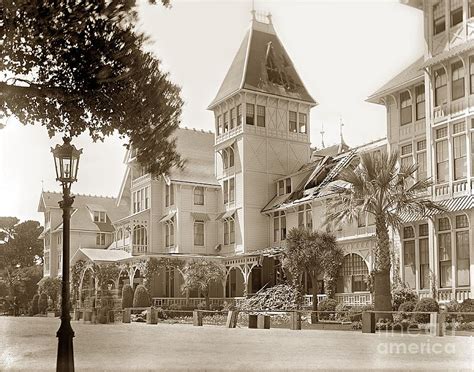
column 81, row 66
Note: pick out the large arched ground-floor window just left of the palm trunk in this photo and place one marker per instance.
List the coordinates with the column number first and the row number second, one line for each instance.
column 352, row 275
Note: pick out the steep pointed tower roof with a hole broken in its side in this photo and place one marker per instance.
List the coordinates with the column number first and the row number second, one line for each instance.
column 263, row 65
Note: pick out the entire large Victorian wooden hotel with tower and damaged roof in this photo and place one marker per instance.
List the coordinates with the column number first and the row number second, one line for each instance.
column 256, row 177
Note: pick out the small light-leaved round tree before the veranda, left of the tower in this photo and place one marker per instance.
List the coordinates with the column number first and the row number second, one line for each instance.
column 199, row 274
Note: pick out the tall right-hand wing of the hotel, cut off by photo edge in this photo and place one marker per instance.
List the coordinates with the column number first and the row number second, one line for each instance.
column 430, row 121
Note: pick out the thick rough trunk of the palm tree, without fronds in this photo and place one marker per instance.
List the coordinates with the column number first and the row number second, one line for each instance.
column 382, row 285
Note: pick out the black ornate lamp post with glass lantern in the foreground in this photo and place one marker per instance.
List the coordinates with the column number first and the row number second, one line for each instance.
column 66, row 161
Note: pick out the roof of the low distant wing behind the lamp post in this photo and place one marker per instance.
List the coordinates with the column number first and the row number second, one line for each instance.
column 84, row 206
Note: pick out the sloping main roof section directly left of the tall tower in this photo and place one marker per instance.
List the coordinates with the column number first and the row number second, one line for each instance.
column 197, row 149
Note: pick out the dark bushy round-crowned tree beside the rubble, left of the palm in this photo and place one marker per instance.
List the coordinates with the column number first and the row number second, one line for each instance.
column 312, row 252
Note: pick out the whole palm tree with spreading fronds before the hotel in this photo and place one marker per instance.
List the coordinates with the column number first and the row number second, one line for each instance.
column 380, row 187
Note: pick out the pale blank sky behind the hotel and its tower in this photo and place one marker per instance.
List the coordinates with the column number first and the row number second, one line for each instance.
column 343, row 51
